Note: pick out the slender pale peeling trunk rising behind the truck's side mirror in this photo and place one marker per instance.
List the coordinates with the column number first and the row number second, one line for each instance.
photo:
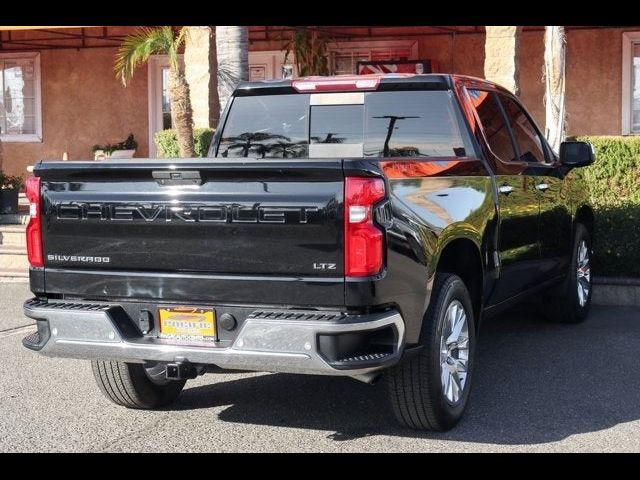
column 554, row 93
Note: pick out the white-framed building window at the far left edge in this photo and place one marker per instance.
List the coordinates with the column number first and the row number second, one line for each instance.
column 20, row 101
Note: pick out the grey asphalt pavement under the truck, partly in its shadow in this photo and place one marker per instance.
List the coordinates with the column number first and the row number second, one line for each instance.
column 538, row 387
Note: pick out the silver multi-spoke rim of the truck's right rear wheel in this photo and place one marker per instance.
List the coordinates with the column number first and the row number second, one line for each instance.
column 454, row 352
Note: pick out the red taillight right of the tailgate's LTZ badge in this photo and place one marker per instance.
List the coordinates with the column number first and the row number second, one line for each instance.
column 363, row 240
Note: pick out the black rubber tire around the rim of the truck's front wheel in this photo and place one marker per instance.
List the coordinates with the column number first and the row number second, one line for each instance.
column 567, row 306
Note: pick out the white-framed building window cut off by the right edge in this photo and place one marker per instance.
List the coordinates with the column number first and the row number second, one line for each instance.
column 631, row 83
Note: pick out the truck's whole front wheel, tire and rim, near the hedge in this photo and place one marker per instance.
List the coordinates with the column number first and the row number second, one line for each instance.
column 574, row 298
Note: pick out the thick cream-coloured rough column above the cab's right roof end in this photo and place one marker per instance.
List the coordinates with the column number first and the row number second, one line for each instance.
column 501, row 62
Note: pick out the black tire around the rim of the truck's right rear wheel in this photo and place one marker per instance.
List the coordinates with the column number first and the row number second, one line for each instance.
column 414, row 386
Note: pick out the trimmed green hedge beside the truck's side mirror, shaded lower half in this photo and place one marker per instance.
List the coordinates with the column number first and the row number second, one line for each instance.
column 613, row 184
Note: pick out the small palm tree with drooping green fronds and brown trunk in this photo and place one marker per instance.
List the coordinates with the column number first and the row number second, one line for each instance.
column 136, row 49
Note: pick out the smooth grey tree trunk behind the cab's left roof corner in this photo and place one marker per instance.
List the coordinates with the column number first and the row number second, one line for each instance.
column 232, row 44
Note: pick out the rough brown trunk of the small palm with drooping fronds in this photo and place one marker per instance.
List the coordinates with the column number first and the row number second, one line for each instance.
column 181, row 114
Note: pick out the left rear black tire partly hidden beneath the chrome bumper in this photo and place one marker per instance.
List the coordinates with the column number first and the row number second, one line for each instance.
column 129, row 384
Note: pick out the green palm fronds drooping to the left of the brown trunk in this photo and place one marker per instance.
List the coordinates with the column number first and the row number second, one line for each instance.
column 139, row 46
